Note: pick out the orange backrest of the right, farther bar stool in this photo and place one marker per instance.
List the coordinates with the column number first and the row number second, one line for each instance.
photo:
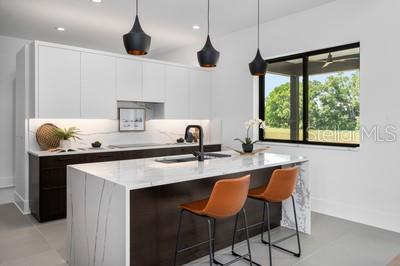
column 282, row 184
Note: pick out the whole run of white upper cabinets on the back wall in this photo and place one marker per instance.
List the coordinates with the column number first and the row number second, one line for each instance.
column 73, row 82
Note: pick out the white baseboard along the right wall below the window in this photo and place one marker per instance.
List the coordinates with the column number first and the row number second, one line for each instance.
column 383, row 220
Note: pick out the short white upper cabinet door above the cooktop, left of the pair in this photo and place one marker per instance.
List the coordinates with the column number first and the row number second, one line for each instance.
column 129, row 80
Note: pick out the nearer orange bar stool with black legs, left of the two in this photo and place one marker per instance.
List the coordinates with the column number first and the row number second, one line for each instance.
column 227, row 200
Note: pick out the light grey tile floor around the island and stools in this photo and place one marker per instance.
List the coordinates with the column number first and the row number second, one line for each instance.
column 334, row 242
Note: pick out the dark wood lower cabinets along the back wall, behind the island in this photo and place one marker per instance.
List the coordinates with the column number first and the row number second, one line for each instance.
column 48, row 176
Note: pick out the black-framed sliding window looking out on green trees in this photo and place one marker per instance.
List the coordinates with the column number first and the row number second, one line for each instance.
column 313, row 98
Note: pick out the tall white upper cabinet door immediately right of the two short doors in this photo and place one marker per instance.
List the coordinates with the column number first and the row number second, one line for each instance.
column 177, row 93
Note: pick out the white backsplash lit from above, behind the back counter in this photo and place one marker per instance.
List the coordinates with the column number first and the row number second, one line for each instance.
column 106, row 131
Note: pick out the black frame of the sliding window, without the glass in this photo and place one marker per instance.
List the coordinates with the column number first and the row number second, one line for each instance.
column 304, row 56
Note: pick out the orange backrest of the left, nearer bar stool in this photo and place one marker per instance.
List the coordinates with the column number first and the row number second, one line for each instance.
column 227, row 197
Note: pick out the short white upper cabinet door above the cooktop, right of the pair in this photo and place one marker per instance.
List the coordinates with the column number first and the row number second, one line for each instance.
column 153, row 82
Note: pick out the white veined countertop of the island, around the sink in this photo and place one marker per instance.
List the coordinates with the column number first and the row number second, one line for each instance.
column 142, row 173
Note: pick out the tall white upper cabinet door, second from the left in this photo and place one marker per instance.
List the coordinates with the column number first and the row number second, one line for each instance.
column 98, row 87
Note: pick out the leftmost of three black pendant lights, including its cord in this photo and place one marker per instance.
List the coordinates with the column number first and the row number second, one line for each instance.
column 137, row 42
